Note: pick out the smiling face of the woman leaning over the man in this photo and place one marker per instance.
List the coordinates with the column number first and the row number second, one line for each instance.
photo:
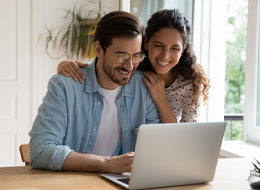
column 164, row 48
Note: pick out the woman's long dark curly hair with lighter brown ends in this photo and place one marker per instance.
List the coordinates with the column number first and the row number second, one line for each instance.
column 187, row 66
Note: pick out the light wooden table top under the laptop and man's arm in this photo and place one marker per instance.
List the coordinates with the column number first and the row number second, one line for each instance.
column 231, row 174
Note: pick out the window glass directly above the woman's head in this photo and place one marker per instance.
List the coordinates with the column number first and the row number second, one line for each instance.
column 145, row 8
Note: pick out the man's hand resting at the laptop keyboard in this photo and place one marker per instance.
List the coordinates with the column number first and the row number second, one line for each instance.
column 118, row 164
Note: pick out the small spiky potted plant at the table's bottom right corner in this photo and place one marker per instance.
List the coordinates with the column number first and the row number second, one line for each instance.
column 254, row 178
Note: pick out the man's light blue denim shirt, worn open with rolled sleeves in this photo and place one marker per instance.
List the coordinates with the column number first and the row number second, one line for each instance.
column 69, row 118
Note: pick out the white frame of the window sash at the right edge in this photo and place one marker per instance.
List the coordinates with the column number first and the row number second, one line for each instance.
column 251, row 131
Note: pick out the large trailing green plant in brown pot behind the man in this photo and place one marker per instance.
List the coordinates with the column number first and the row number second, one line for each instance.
column 75, row 38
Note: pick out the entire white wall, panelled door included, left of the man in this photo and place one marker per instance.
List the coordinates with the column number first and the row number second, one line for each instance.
column 25, row 67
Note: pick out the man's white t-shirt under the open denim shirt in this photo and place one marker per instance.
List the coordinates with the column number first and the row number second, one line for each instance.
column 109, row 134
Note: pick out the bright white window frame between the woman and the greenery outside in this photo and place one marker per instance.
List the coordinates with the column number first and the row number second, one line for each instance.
column 210, row 46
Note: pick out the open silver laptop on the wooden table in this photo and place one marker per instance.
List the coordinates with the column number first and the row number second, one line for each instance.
column 173, row 155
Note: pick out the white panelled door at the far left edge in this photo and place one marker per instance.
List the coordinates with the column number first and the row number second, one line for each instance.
column 14, row 78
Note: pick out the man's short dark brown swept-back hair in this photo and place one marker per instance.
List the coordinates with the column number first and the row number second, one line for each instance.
column 117, row 24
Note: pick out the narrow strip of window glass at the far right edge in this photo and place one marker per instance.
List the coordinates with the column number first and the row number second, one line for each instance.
column 258, row 75
